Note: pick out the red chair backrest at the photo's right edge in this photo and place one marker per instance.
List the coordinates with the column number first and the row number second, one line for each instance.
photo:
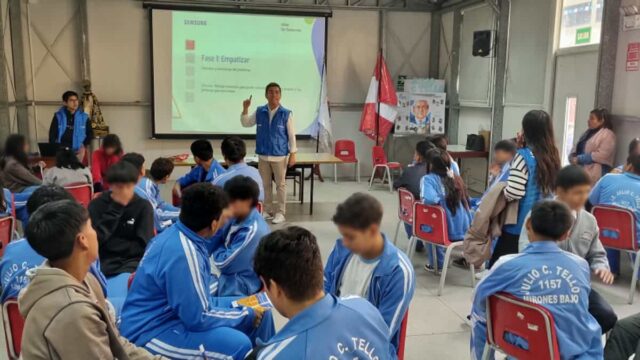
column 617, row 227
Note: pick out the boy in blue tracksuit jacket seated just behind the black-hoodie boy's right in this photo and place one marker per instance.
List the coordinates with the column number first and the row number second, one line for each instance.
column 164, row 214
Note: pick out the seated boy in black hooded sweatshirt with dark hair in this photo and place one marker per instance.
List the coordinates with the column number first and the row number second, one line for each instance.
column 123, row 221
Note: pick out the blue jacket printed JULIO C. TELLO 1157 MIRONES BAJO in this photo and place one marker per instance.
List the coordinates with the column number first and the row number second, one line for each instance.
column 546, row 275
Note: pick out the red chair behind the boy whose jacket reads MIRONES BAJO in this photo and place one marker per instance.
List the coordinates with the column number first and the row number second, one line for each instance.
column 532, row 322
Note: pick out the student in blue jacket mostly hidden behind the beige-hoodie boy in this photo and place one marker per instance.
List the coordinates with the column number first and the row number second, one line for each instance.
column 19, row 257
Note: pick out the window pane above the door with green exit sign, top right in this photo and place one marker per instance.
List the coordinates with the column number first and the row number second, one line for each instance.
column 581, row 22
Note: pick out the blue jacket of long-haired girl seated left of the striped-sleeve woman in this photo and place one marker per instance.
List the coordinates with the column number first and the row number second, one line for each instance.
column 432, row 192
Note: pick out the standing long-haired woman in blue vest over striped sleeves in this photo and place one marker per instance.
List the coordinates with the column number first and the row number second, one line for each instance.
column 531, row 176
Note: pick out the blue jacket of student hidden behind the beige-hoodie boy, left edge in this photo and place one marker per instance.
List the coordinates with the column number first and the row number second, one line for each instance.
column 18, row 258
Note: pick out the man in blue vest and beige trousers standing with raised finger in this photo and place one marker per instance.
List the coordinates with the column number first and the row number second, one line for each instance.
column 275, row 145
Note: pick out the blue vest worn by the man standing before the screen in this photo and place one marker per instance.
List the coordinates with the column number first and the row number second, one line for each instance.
column 272, row 137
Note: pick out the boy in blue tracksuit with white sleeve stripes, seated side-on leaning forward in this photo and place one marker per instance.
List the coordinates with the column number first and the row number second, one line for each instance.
column 169, row 309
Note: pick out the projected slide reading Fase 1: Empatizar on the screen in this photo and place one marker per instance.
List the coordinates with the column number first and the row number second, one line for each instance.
column 206, row 63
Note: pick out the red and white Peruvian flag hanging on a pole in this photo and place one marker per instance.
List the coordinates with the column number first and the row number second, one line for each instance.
column 380, row 108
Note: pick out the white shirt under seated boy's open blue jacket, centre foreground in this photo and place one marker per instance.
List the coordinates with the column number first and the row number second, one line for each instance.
column 356, row 276
